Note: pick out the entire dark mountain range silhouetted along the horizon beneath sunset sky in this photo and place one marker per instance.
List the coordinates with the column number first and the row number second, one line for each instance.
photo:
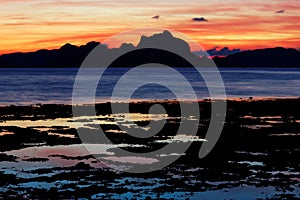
column 148, row 50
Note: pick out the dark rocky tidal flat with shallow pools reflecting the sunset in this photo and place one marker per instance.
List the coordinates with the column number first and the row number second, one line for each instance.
column 257, row 155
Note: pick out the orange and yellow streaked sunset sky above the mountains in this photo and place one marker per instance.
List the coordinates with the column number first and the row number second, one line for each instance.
column 28, row 25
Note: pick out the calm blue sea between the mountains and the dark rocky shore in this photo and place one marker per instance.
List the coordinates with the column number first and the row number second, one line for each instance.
column 31, row 86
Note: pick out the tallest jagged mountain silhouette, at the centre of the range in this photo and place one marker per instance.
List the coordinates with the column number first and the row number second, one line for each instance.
column 161, row 48
